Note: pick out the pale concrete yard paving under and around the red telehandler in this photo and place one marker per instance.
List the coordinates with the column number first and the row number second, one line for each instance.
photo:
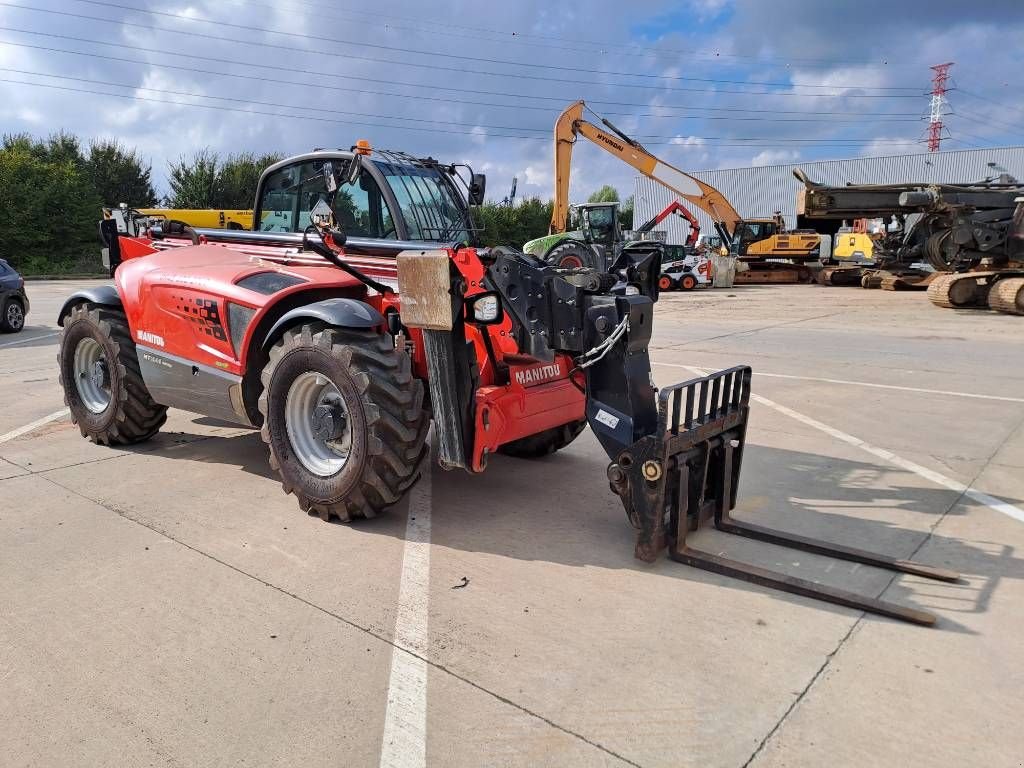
column 166, row 605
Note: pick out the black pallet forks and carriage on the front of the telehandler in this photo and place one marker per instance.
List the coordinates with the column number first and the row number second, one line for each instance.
column 688, row 474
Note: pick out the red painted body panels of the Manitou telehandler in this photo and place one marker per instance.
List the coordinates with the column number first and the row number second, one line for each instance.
column 177, row 294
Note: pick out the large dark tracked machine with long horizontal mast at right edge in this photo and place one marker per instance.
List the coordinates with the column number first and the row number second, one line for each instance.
column 969, row 238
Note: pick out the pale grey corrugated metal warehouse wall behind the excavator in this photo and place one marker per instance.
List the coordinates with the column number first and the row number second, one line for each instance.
column 758, row 193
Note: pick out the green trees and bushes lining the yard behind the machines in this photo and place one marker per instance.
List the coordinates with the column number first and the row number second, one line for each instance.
column 52, row 192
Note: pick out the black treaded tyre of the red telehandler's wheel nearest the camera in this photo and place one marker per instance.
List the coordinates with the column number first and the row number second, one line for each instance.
column 385, row 412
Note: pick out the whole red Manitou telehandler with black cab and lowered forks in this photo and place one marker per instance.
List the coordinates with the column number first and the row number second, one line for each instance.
column 342, row 339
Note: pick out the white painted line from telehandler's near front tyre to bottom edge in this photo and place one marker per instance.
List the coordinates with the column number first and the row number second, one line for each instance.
column 405, row 742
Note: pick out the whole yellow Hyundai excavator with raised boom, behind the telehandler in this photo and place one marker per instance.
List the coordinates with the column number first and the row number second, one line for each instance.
column 754, row 241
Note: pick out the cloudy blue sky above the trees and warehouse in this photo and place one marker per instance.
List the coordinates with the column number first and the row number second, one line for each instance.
column 704, row 83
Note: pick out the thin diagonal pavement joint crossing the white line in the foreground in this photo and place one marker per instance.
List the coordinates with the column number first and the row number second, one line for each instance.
column 351, row 623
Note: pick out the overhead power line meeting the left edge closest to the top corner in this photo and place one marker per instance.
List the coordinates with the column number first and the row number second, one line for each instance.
column 221, row 39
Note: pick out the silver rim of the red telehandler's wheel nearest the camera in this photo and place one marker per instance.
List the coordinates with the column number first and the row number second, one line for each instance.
column 310, row 395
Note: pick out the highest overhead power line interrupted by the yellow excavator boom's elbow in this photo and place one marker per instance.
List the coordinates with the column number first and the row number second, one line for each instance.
column 434, row 99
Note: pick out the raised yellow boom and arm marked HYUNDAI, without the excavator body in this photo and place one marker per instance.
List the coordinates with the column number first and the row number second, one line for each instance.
column 571, row 125
